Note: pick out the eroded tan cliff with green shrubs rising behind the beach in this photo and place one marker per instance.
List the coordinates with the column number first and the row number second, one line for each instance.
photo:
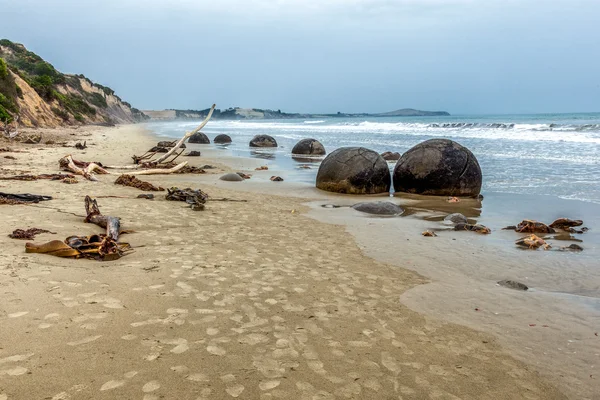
column 40, row 96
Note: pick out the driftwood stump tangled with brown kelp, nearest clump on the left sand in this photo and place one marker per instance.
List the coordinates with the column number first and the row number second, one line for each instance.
column 102, row 247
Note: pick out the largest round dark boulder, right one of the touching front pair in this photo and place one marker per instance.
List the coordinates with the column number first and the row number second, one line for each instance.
column 438, row 167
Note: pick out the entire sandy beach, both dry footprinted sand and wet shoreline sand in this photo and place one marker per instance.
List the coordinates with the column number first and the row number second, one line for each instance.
column 272, row 298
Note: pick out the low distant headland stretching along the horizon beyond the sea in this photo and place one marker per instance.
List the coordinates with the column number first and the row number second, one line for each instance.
column 238, row 113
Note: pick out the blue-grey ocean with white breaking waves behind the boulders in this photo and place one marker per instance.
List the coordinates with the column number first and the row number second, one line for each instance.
column 544, row 154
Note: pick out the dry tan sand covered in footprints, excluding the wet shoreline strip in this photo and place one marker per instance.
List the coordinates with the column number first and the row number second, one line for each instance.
column 250, row 300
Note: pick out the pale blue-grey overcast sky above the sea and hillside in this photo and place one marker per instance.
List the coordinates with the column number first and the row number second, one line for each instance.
column 462, row 56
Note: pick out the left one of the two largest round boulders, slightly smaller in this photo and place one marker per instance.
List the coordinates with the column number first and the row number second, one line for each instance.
column 354, row 170
